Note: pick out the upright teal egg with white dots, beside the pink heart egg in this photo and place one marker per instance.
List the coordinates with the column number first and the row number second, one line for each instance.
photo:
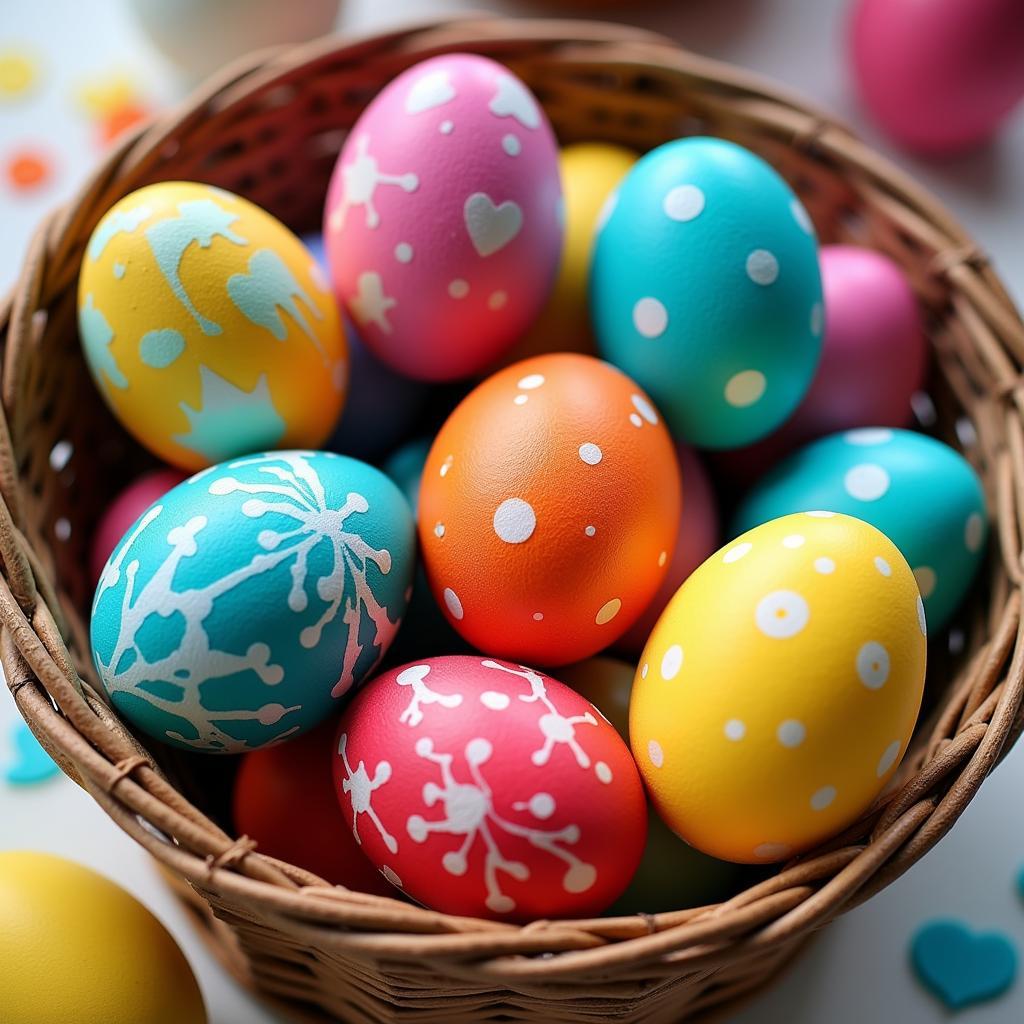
column 706, row 289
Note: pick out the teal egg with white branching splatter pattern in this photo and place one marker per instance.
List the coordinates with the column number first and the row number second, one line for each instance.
column 241, row 607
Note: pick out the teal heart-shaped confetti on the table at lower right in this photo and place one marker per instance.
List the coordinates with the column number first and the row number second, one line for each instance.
column 961, row 967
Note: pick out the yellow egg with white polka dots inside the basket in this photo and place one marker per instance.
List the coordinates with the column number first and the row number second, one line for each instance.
column 779, row 692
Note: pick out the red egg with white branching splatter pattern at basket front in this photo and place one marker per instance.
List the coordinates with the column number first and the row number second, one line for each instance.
column 487, row 789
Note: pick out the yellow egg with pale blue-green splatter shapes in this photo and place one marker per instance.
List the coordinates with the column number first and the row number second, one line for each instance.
column 208, row 326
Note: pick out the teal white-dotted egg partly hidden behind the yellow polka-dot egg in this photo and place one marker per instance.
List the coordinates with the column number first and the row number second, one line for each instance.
column 924, row 495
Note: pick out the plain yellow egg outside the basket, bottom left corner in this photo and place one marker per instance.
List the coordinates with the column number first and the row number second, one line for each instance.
column 75, row 949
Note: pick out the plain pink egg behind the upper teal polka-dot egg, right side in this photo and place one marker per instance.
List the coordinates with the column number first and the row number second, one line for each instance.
column 874, row 358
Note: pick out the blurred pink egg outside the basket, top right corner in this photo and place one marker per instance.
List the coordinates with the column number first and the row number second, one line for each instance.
column 940, row 76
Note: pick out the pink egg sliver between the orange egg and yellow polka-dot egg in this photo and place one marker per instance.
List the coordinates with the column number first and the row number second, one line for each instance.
column 699, row 538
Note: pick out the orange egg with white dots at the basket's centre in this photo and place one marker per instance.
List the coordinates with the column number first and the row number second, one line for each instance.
column 548, row 509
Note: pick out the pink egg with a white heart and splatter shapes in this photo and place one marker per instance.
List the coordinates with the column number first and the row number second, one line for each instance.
column 444, row 221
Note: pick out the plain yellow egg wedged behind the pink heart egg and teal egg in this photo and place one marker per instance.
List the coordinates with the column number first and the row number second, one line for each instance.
column 590, row 173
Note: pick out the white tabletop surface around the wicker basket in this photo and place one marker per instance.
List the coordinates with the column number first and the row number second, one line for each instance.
column 857, row 970
